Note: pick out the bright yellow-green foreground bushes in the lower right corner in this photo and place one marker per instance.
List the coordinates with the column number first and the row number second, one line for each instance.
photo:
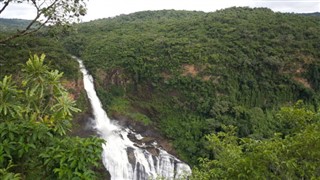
column 292, row 156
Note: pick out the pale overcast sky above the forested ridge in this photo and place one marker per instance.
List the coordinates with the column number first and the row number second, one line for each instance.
column 110, row 8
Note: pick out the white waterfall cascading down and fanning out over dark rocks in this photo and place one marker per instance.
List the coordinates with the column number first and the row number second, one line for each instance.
column 141, row 165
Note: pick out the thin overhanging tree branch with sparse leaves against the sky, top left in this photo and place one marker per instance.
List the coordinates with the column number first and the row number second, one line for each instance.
column 48, row 12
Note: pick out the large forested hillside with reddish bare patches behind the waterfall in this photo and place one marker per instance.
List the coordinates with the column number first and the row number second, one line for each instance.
column 191, row 73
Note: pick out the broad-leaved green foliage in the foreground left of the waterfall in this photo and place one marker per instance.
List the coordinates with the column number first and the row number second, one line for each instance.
column 35, row 115
